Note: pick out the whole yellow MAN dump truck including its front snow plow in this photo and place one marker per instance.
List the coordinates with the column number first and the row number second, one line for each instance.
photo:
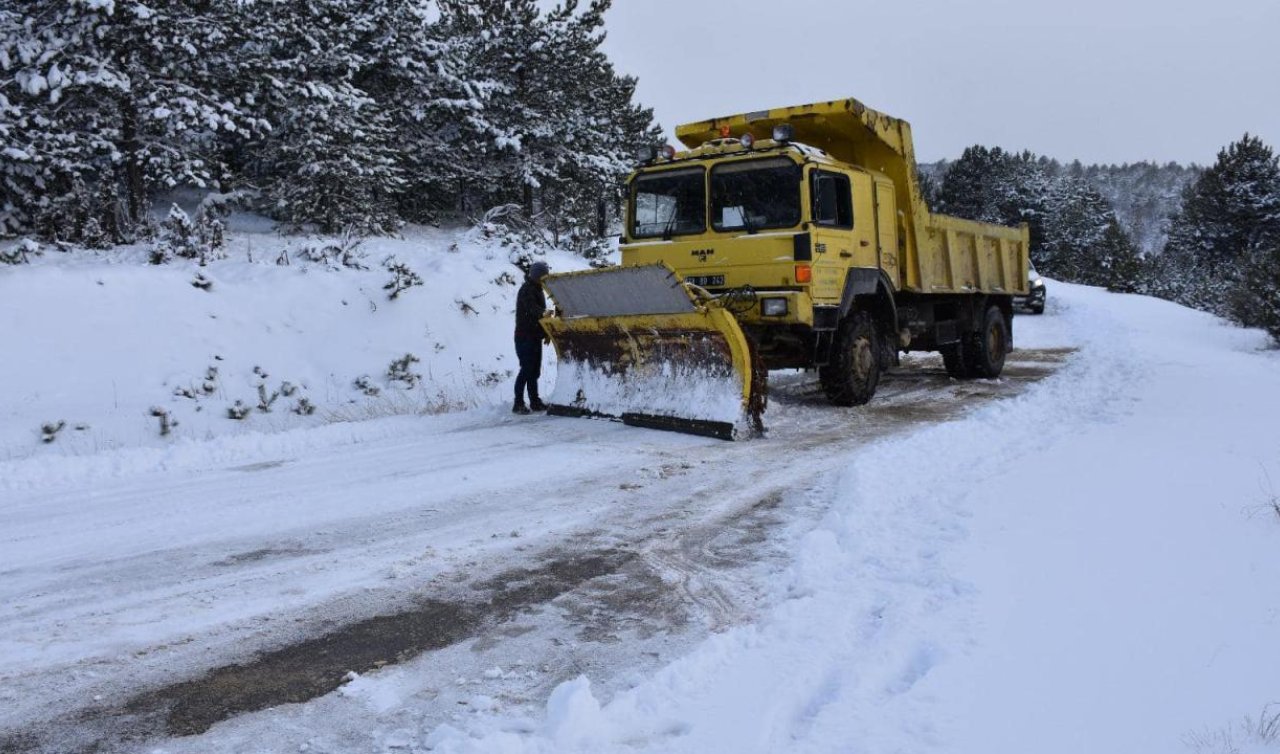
column 789, row 239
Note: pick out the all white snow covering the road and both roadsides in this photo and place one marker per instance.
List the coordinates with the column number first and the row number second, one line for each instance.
column 1091, row 564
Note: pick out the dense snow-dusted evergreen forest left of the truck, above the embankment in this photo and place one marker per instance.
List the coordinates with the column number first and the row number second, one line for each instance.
column 332, row 115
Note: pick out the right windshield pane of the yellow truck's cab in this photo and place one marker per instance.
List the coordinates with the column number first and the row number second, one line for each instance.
column 756, row 195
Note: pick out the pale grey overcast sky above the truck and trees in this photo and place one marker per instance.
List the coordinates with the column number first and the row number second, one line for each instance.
column 1104, row 81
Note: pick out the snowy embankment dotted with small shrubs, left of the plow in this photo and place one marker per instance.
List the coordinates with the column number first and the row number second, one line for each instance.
column 104, row 353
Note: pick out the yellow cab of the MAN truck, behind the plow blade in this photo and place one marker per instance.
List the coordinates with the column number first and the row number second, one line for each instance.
column 774, row 225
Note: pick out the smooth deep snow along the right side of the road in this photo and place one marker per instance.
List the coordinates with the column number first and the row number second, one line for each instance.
column 1089, row 568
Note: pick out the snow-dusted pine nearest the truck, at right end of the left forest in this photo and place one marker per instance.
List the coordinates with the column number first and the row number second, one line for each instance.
column 561, row 126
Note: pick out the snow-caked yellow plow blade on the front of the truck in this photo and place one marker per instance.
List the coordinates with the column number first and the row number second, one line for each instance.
column 636, row 344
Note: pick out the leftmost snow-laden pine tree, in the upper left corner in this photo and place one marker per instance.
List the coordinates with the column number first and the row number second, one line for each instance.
column 121, row 94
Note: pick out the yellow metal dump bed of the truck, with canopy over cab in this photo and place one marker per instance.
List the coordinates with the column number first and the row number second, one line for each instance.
column 936, row 254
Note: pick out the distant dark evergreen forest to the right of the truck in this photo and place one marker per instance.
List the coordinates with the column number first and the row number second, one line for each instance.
column 1205, row 239
